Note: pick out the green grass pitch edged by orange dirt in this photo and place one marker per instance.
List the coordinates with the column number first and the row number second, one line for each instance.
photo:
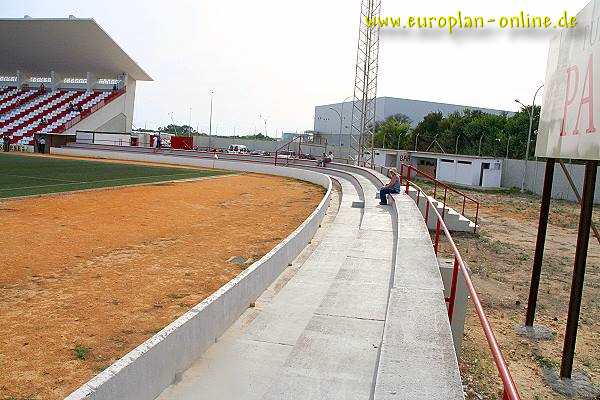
column 26, row 175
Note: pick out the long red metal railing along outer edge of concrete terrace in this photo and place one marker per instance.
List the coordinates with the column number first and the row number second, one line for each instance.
column 510, row 389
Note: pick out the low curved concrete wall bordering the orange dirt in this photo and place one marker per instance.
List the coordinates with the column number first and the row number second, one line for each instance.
column 145, row 371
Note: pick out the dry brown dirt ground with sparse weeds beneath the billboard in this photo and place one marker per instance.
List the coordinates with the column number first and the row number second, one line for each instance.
column 500, row 257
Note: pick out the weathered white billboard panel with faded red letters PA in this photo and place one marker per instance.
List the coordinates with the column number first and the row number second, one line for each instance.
column 570, row 119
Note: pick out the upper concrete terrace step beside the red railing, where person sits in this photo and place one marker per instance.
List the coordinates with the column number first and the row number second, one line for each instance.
column 418, row 360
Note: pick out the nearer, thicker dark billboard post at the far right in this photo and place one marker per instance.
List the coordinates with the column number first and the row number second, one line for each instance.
column 583, row 238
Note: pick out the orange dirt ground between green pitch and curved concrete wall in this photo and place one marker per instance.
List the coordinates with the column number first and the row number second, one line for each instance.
column 87, row 277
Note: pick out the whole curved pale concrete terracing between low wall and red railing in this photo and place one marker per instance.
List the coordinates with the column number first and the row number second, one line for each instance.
column 362, row 317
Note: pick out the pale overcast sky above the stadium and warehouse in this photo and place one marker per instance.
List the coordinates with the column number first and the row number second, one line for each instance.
column 276, row 60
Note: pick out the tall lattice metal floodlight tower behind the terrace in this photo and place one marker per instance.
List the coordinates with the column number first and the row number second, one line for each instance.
column 365, row 84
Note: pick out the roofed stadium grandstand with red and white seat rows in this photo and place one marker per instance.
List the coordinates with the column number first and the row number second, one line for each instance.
column 51, row 85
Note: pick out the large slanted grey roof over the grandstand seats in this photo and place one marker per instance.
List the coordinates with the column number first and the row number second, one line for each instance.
column 66, row 45
